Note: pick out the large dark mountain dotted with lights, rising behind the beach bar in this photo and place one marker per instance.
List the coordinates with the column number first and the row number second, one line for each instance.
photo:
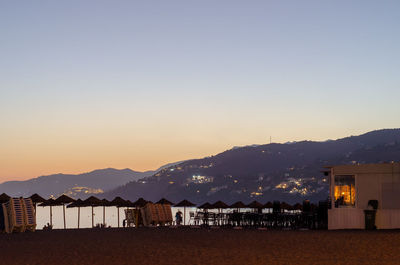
column 288, row 172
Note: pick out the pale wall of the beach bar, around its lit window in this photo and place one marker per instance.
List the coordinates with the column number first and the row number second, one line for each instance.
column 372, row 182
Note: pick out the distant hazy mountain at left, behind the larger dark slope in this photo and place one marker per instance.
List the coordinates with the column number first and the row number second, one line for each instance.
column 81, row 185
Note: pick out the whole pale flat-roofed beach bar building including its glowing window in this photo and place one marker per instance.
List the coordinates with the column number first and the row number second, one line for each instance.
column 364, row 193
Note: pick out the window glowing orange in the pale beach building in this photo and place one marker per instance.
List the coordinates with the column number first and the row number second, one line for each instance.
column 345, row 192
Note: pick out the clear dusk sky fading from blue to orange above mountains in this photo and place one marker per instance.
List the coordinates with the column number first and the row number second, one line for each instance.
column 137, row 84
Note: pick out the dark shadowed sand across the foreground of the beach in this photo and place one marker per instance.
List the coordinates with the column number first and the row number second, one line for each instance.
column 200, row 246
